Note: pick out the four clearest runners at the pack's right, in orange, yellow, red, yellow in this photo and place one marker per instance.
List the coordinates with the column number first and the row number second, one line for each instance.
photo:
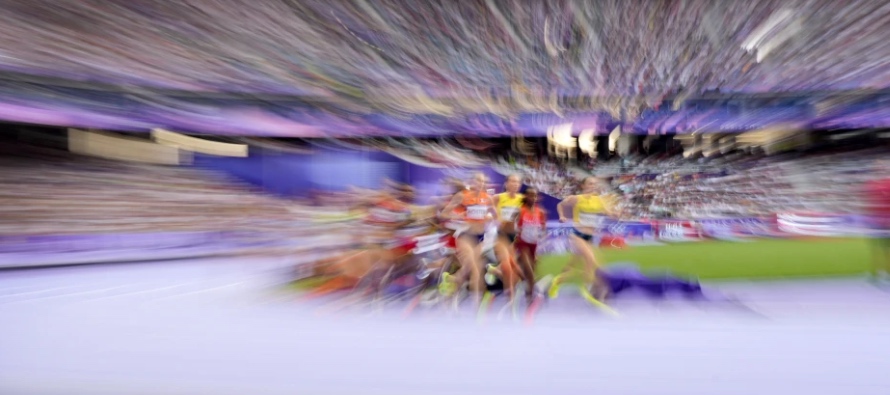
column 519, row 225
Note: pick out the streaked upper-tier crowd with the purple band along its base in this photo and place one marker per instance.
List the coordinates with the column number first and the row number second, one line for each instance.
column 384, row 66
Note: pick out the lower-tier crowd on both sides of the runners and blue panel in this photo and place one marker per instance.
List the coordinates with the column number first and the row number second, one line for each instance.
column 61, row 193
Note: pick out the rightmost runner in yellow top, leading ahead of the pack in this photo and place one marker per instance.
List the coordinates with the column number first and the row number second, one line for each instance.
column 590, row 210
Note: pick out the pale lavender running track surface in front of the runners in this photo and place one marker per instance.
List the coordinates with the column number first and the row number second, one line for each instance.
column 213, row 327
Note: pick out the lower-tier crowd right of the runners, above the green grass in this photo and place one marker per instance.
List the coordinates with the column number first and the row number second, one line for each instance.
column 737, row 185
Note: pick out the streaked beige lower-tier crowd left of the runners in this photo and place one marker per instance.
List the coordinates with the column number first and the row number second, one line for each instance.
column 48, row 192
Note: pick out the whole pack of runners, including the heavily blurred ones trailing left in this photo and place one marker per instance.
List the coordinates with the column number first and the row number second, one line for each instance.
column 494, row 238
